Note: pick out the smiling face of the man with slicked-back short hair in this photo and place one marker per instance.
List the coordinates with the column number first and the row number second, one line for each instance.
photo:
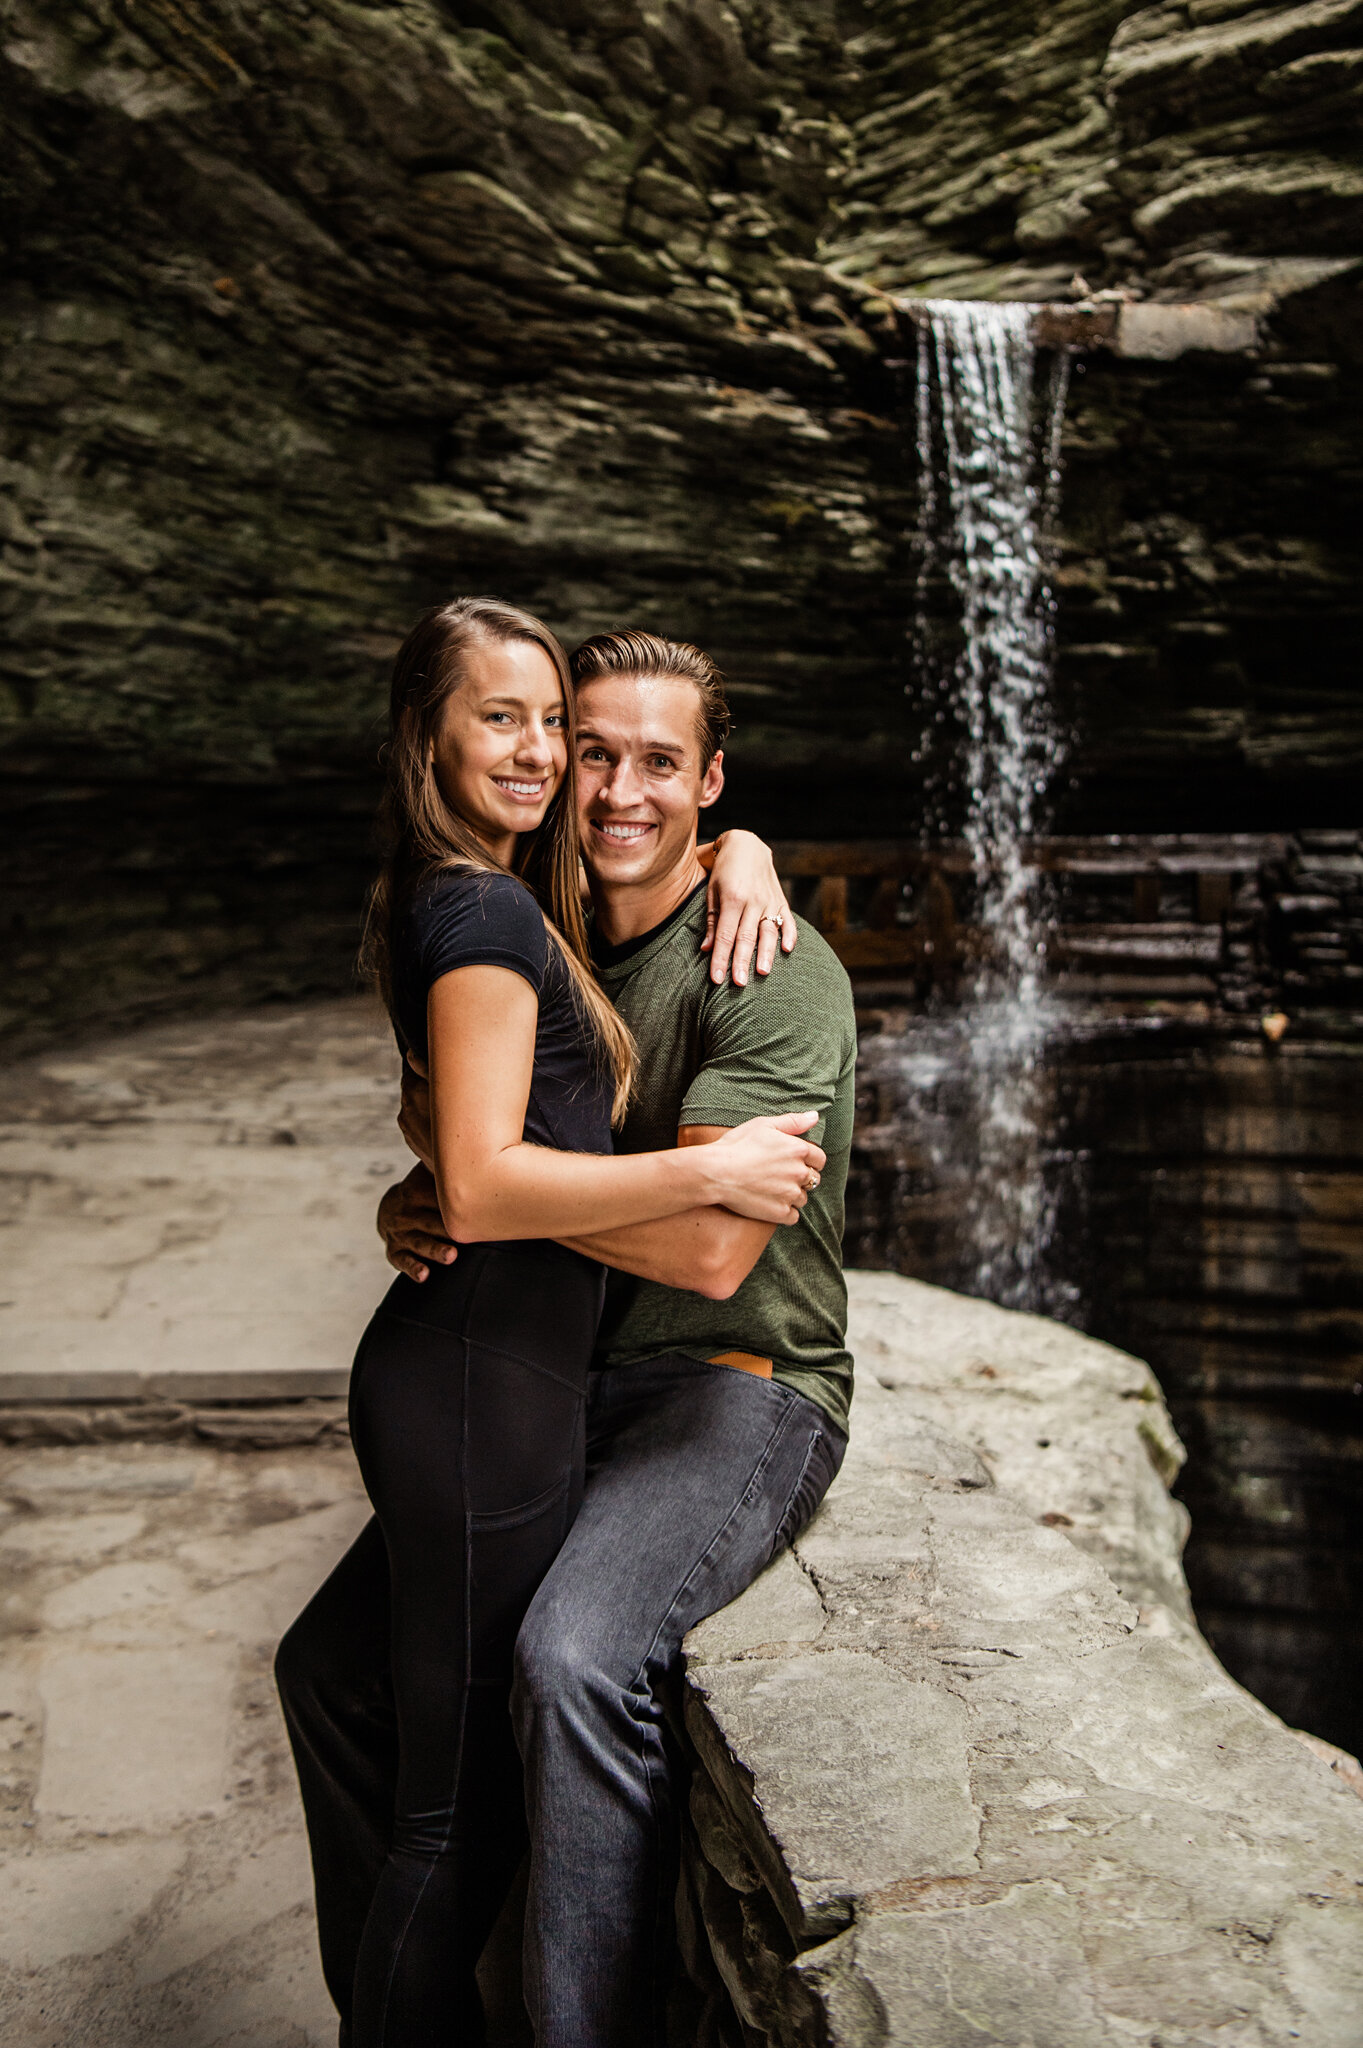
column 640, row 779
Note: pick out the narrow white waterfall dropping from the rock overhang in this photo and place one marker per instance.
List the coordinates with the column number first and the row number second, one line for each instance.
column 990, row 474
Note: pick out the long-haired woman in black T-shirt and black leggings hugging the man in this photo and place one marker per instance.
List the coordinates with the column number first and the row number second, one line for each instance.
column 468, row 1392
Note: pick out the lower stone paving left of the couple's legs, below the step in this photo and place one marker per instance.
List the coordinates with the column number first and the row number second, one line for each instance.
column 155, row 1877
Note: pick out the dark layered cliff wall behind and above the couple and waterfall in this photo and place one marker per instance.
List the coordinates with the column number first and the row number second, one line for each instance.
column 316, row 314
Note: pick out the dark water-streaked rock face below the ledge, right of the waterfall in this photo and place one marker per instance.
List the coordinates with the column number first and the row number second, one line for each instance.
column 1227, row 1238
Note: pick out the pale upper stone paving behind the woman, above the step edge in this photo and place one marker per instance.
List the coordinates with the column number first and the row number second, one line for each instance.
column 189, row 1211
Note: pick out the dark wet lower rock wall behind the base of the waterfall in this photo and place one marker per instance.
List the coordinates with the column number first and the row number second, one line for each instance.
column 1208, row 1207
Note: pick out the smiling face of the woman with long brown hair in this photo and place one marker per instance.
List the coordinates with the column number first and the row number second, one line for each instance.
column 502, row 744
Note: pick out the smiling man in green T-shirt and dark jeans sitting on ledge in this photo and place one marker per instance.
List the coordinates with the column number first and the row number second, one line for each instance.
column 717, row 1412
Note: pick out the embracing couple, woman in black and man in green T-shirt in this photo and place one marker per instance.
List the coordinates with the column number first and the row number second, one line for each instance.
column 611, row 1381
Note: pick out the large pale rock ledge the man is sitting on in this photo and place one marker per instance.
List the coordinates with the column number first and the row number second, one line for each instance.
column 965, row 1768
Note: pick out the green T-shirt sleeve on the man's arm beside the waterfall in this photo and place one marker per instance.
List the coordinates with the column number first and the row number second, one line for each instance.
column 775, row 1046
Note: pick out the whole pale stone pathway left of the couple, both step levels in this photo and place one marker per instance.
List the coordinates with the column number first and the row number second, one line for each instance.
column 185, row 1220
